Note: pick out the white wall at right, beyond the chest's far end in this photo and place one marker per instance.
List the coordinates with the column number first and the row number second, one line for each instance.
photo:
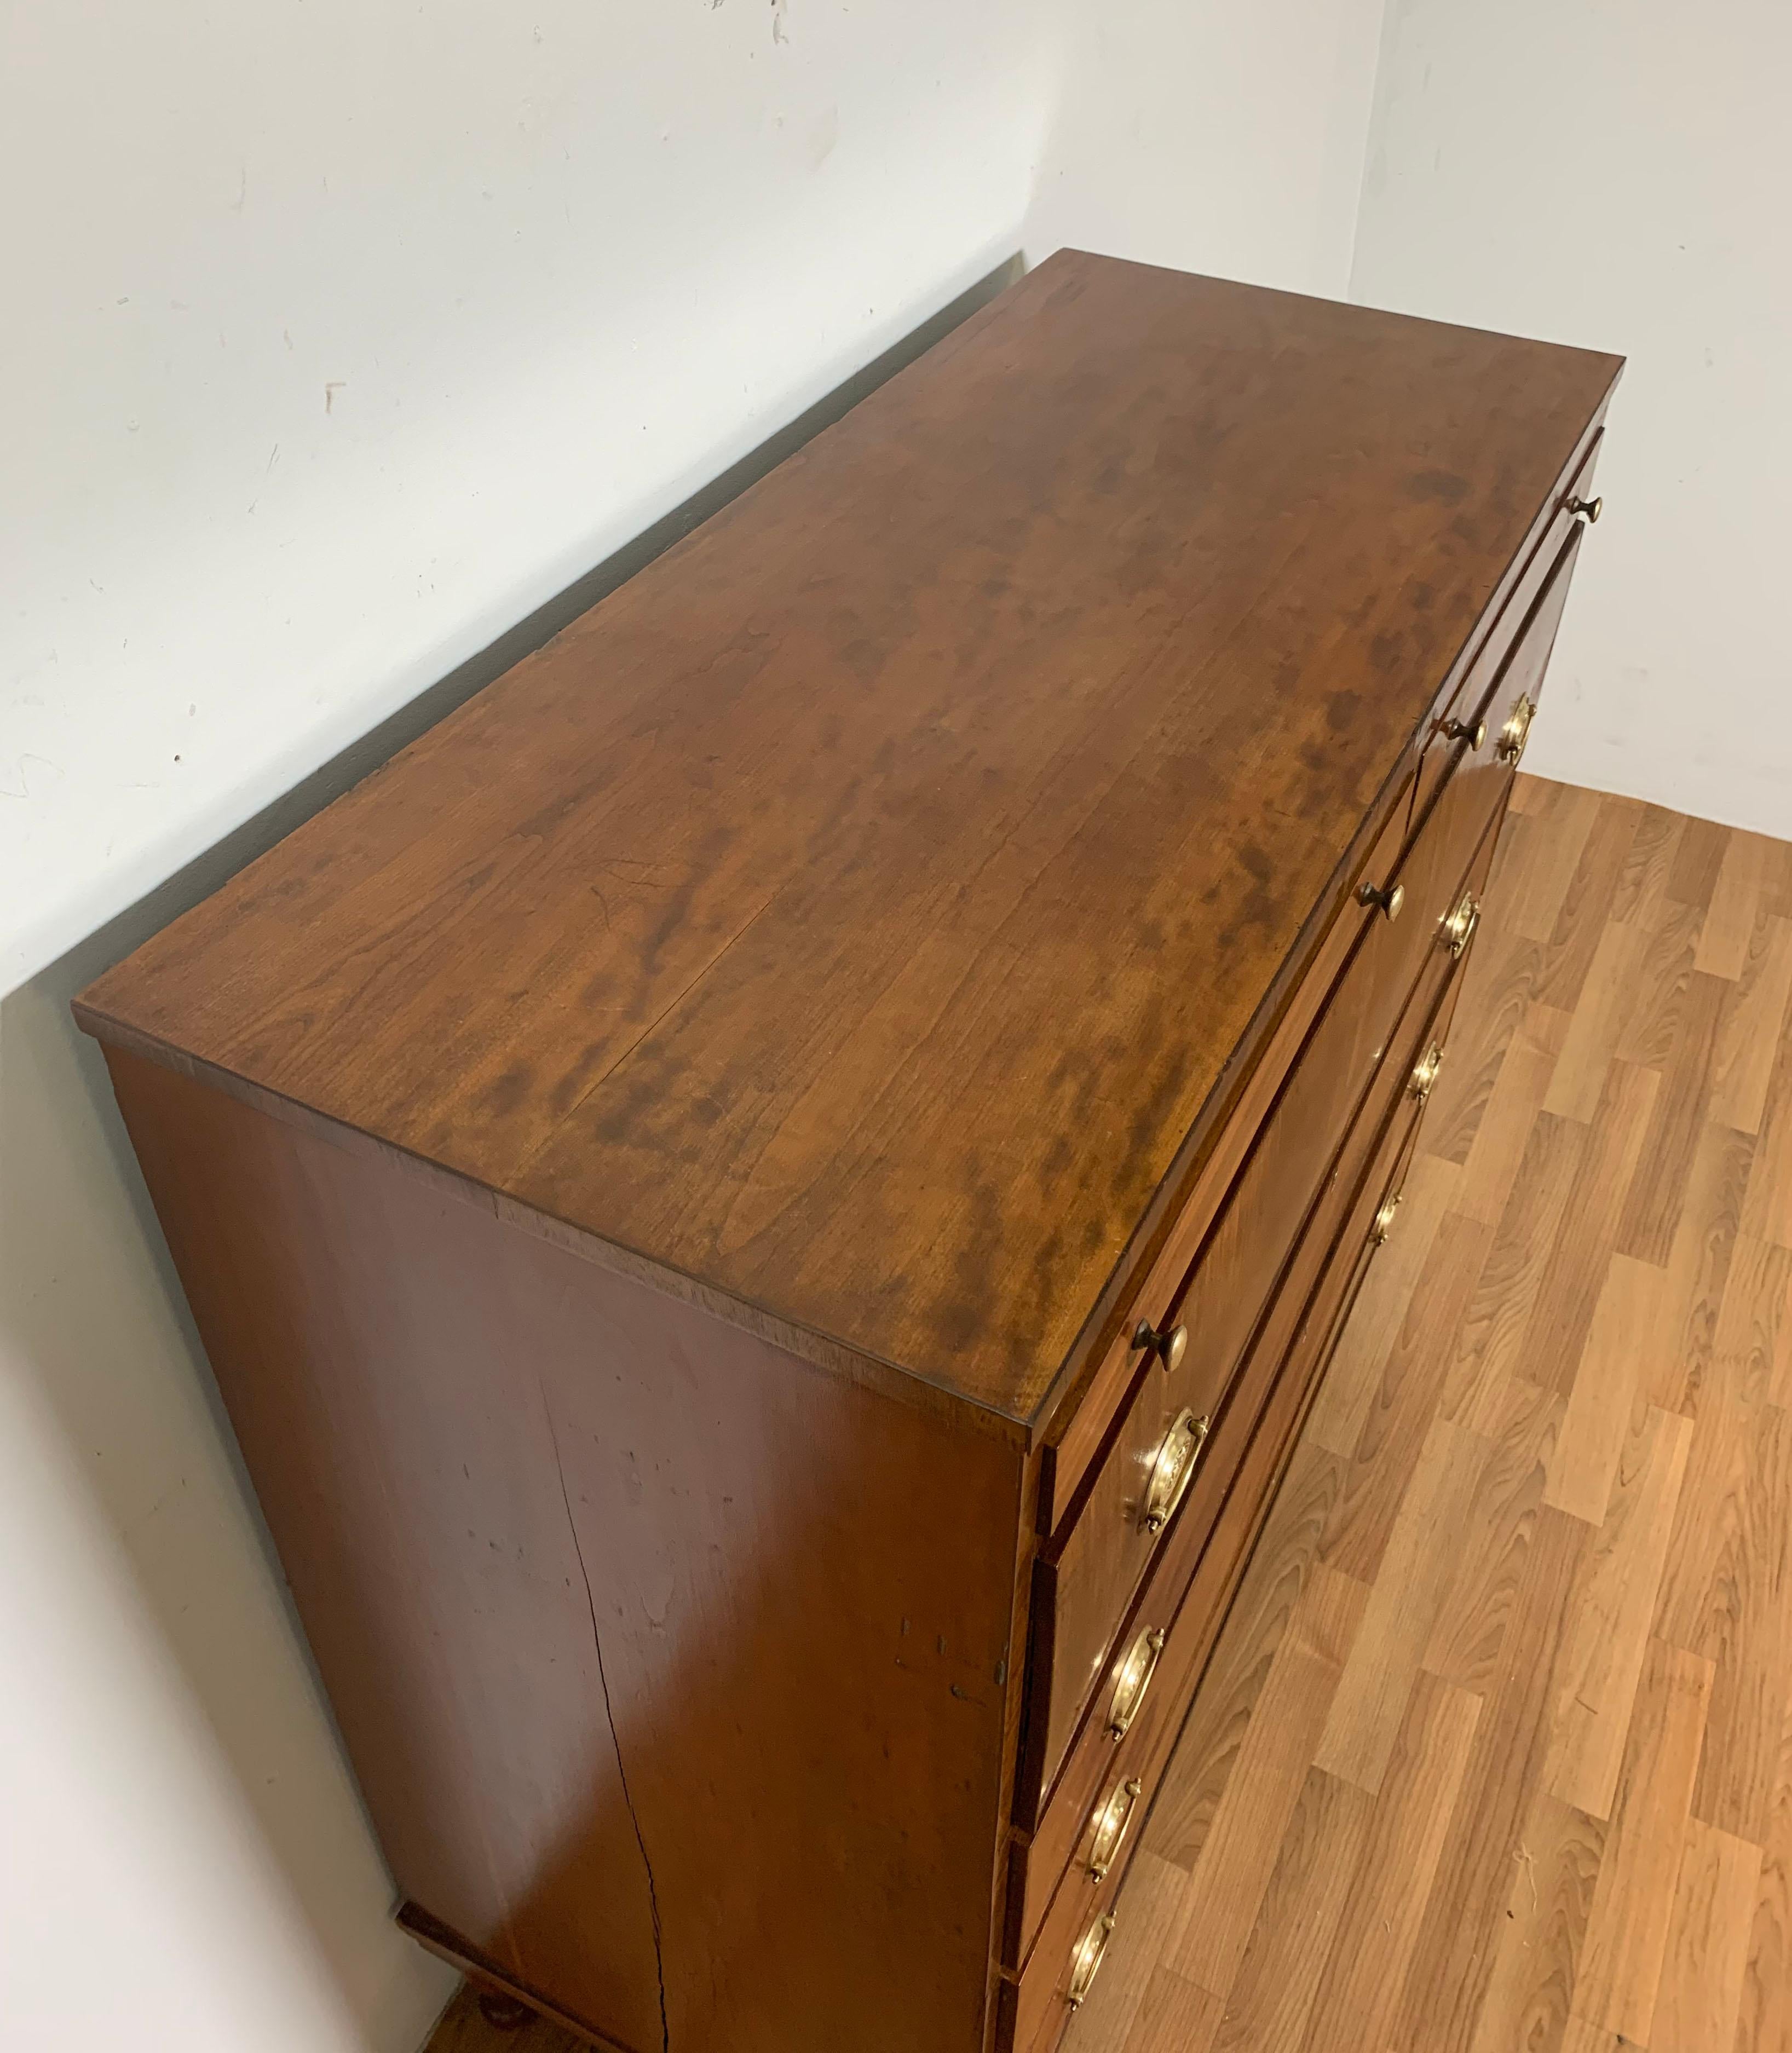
column 1621, row 178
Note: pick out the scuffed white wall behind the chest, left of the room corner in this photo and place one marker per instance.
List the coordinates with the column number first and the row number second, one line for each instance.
column 340, row 338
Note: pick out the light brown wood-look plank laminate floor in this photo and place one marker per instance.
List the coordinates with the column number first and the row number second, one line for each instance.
column 1495, row 1750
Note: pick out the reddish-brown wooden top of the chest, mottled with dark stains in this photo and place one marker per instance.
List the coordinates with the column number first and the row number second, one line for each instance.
column 853, row 915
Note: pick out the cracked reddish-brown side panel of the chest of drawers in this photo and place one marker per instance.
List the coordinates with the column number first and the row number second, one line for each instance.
column 648, row 1641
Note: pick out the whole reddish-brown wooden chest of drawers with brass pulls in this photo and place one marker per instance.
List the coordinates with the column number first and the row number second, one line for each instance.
column 769, row 1200
